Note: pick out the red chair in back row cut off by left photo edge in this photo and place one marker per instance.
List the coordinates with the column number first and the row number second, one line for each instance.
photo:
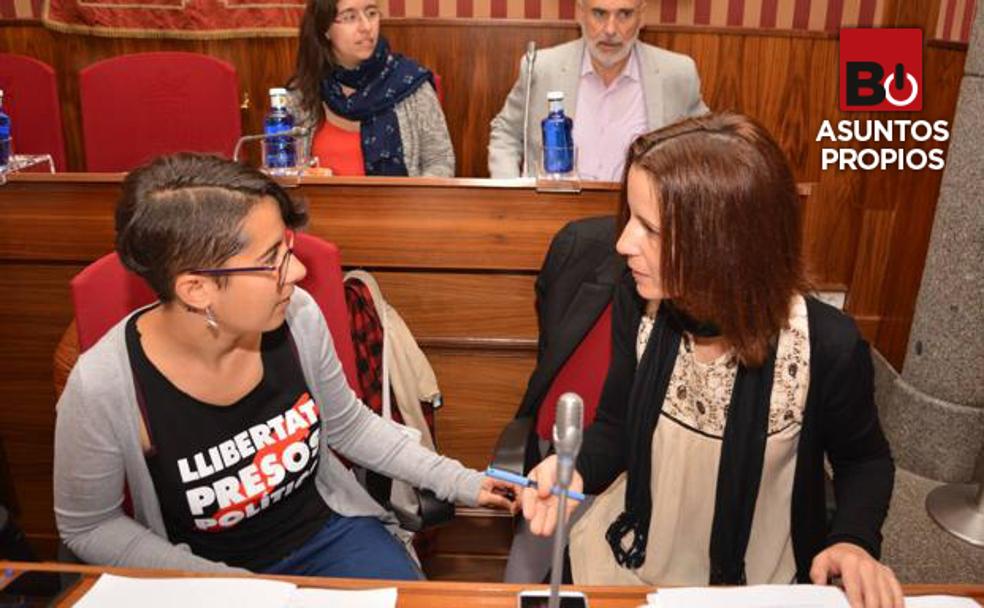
column 30, row 98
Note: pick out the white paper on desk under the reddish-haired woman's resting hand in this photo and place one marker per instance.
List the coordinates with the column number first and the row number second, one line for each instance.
column 755, row 596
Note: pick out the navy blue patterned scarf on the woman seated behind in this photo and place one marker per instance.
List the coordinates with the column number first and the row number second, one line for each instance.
column 380, row 82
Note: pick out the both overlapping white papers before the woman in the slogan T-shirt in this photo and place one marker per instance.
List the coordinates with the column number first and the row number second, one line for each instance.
column 124, row 592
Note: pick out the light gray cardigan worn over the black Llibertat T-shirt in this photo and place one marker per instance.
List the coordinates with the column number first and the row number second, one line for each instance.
column 97, row 448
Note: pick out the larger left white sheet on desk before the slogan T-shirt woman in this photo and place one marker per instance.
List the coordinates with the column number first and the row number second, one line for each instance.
column 112, row 591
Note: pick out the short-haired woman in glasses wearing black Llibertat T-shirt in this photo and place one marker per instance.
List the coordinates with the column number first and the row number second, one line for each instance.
column 219, row 408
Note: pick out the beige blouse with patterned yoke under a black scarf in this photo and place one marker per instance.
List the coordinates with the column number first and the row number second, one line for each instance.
column 685, row 453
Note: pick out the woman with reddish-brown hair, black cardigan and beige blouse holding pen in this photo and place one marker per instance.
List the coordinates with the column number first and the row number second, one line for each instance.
column 729, row 385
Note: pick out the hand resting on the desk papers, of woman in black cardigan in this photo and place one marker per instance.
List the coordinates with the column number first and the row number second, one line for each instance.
column 867, row 583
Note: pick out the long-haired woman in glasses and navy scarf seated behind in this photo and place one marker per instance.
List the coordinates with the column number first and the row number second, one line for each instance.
column 371, row 112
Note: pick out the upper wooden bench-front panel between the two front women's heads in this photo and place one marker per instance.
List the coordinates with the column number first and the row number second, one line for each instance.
column 445, row 227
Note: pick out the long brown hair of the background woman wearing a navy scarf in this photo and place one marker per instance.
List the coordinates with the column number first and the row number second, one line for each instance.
column 315, row 59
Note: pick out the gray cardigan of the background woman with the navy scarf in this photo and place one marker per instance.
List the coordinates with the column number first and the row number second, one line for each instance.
column 427, row 148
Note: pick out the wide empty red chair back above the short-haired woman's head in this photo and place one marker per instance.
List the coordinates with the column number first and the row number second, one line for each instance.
column 136, row 107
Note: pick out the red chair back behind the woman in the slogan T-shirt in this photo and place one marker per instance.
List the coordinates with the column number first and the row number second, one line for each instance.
column 105, row 292
